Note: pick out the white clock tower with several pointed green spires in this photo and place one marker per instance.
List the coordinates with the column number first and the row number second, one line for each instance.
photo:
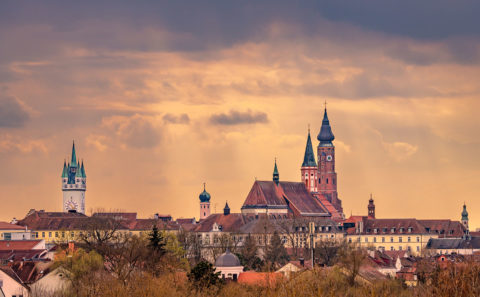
column 74, row 184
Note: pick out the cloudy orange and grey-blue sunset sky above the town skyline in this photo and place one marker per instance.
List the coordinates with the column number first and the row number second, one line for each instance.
column 162, row 96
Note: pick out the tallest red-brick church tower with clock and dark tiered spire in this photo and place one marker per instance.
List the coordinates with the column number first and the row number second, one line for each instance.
column 327, row 177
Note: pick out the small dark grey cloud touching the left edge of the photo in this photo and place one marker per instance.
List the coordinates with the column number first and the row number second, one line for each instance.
column 12, row 113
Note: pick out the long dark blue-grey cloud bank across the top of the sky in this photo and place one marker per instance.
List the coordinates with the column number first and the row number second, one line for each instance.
column 219, row 22
